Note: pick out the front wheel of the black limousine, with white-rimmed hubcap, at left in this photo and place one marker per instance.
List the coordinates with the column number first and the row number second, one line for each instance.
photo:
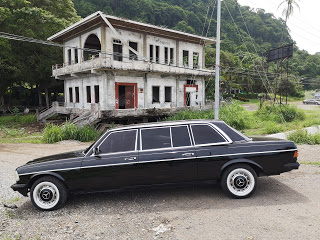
column 48, row 193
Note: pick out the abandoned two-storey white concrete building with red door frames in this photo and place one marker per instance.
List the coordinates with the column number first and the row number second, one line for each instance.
column 120, row 67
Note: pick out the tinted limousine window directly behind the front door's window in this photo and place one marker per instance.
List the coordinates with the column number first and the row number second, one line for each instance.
column 156, row 138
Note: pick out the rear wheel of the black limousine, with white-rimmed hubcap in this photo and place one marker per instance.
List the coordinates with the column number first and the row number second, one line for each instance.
column 239, row 181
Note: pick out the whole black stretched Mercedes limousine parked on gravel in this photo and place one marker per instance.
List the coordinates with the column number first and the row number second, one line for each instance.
column 157, row 154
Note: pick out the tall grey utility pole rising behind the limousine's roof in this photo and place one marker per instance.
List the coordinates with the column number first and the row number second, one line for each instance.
column 217, row 79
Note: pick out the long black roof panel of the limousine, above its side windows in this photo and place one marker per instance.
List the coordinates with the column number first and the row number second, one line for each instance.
column 165, row 123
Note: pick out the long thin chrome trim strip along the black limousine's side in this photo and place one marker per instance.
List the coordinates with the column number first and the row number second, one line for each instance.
column 175, row 159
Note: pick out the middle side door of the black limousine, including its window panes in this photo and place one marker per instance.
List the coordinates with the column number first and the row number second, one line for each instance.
column 167, row 155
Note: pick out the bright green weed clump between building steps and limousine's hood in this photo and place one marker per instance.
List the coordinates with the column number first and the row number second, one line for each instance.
column 54, row 133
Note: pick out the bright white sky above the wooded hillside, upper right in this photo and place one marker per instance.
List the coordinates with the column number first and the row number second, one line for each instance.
column 304, row 24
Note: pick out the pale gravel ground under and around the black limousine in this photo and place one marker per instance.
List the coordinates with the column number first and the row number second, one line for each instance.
column 283, row 207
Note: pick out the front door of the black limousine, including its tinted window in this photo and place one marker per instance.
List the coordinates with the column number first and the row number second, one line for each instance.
column 116, row 165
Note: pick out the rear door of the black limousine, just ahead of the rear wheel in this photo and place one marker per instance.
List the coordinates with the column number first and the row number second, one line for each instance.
column 211, row 146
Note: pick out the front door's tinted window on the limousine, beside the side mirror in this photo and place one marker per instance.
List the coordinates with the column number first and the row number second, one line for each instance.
column 119, row 142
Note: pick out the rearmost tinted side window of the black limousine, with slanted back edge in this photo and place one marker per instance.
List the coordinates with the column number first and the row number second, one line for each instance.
column 204, row 134
